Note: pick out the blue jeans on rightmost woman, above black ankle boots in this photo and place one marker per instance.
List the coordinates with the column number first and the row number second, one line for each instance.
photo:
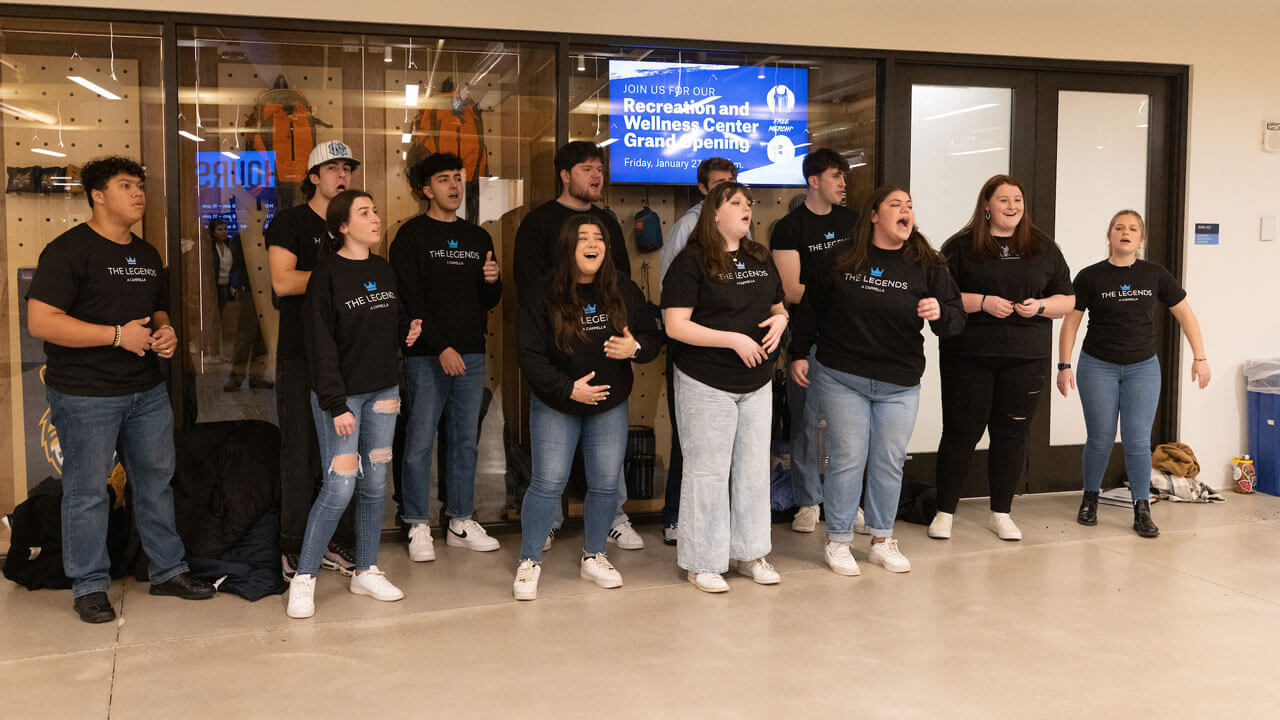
column 1128, row 393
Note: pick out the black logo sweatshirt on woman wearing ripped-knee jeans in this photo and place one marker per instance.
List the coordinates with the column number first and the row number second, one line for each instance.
column 354, row 326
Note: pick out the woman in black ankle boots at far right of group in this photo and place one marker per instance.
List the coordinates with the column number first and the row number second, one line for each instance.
column 1119, row 370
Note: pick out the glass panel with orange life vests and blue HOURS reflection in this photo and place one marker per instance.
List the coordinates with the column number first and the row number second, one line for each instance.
column 255, row 104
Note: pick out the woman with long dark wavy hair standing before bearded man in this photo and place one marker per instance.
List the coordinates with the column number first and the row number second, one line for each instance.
column 579, row 332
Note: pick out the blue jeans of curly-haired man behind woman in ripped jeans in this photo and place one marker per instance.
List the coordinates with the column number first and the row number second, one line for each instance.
column 432, row 394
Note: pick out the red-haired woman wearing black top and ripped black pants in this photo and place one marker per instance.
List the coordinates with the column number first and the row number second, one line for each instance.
column 1013, row 281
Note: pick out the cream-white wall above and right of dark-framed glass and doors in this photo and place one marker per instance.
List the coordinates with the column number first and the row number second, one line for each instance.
column 1229, row 45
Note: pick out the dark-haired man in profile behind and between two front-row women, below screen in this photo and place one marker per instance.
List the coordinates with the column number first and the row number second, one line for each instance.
column 799, row 240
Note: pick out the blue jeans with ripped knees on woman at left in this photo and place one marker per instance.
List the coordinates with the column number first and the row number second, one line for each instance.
column 372, row 445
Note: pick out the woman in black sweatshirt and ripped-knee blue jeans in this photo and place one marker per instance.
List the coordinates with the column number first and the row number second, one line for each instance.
column 354, row 323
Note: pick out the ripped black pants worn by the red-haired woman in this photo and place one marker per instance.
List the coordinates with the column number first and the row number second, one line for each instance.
column 998, row 395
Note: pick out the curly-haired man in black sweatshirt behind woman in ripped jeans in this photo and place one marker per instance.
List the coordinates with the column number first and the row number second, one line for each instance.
column 450, row 280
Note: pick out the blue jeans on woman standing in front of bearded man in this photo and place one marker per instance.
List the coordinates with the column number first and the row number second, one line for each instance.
column 554, row 439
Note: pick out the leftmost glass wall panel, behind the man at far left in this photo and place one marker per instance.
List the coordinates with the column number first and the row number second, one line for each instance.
column 70, row 92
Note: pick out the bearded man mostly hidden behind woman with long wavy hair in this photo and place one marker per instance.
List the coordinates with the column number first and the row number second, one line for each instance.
column 580, row 179
